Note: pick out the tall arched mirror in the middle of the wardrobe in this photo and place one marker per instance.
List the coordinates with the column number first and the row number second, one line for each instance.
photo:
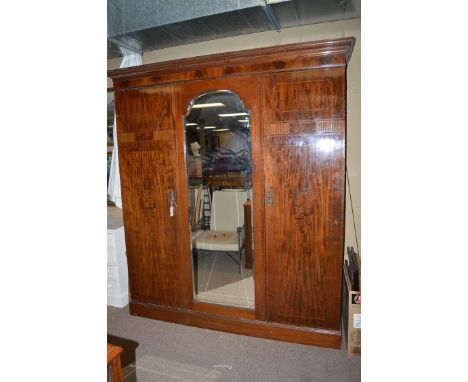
column 218, row 159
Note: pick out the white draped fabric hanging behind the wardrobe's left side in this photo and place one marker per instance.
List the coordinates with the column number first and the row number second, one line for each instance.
column 113, row 188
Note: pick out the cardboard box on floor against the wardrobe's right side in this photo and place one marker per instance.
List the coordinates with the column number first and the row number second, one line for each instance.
column 351, row 316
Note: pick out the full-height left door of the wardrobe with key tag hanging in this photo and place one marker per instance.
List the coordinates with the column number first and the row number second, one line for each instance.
column 149, row 184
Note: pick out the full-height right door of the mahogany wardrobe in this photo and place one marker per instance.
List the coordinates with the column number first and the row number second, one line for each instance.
column 304, row 162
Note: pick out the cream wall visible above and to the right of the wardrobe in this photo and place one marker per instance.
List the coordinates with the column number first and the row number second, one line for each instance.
column 347, row 28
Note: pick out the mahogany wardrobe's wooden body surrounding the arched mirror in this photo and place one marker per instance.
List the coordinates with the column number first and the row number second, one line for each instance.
column 295, row 96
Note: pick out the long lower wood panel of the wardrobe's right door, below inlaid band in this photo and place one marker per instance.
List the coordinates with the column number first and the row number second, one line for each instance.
column 304, row 229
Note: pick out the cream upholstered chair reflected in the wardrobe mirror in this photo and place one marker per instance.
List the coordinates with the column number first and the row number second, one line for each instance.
column 226, row 233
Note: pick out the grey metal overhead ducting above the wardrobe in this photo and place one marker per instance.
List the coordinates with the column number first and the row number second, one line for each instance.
column 143, row 25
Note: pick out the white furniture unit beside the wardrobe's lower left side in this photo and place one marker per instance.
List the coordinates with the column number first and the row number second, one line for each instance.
column 117, row 273
